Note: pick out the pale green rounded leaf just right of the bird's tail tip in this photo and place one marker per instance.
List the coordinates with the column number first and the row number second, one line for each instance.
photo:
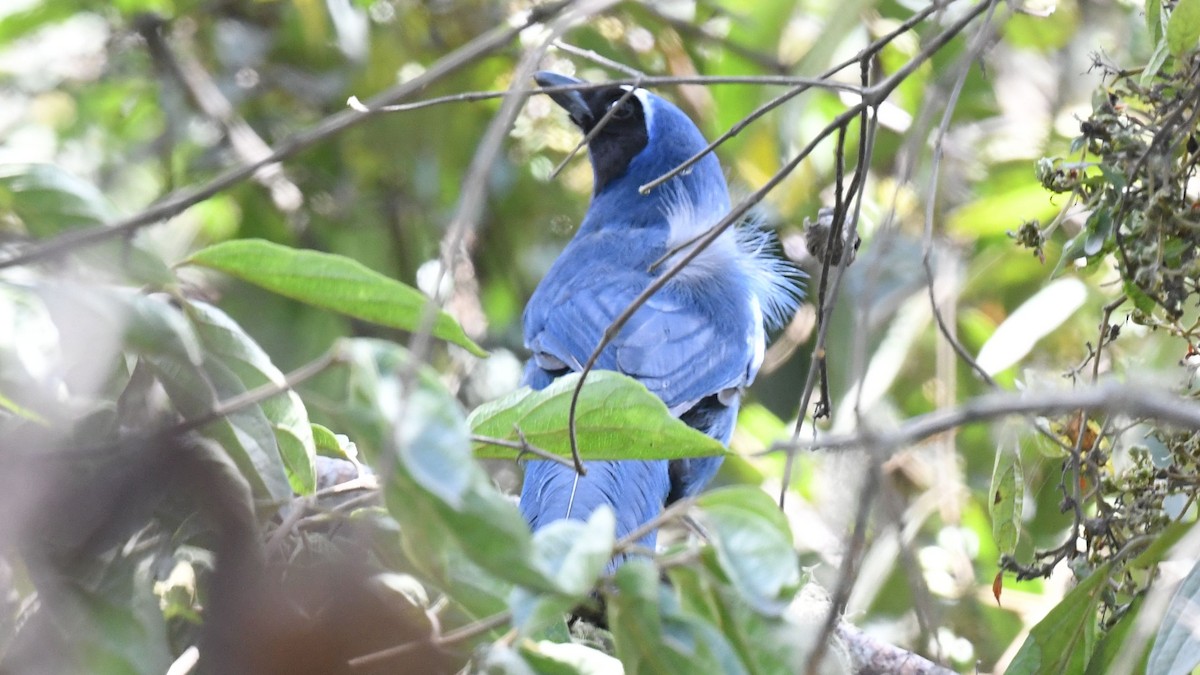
column 754, row 546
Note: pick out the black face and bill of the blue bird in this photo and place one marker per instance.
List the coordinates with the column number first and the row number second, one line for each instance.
column 623, row 136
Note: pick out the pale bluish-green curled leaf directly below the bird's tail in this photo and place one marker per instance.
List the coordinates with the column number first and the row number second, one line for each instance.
column 573, row 554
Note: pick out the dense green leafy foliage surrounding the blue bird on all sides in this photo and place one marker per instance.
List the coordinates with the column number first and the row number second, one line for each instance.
column 213, row 432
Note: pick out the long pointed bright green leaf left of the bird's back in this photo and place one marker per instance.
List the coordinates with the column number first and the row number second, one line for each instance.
column 333, row 283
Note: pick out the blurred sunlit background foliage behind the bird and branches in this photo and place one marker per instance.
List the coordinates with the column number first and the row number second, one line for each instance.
column 106, row 109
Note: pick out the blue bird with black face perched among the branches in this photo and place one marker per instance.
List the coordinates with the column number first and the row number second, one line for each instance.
column 697, row 344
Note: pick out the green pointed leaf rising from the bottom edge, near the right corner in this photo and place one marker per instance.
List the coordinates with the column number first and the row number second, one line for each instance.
column 1063, row 642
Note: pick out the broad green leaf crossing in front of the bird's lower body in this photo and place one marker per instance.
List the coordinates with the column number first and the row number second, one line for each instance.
column 616, row 419
